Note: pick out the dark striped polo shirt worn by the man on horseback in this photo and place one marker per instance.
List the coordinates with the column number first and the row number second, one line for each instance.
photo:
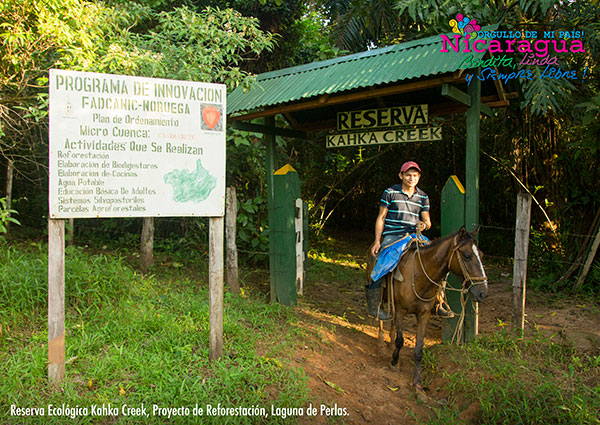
column 403, row 211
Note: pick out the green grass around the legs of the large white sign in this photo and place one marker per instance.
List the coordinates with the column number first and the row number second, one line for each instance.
column 133, row 340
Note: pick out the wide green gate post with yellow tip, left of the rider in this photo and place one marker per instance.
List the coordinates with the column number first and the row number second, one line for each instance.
column 282, row 234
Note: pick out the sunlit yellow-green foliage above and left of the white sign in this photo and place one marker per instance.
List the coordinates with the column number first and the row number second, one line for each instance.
column 206, row 45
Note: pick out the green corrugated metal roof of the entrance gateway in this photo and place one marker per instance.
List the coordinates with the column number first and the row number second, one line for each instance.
column 414, row 59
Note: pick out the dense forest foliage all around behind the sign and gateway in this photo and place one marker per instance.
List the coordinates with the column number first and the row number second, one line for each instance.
column 545, row 141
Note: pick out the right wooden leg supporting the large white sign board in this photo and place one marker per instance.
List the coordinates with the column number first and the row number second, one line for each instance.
column 215, row 285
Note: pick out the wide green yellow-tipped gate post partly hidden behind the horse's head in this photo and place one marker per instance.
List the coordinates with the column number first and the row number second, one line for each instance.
column 452, row 217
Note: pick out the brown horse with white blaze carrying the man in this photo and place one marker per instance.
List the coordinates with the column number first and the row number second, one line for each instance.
column 422, row 269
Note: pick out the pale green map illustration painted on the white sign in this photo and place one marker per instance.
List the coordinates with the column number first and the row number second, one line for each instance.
column 191, row 185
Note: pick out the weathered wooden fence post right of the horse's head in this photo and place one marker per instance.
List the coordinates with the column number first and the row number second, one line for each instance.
column 520, row 267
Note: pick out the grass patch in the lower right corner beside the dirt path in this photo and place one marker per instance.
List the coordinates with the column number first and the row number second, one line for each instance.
column 518, row 381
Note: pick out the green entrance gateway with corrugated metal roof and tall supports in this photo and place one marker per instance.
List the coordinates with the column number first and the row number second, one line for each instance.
column 310, row 96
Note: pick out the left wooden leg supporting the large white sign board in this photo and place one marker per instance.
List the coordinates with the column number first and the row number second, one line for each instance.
column 56, row 300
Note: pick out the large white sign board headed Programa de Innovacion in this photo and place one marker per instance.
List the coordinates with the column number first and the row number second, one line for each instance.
column 125, row 146
